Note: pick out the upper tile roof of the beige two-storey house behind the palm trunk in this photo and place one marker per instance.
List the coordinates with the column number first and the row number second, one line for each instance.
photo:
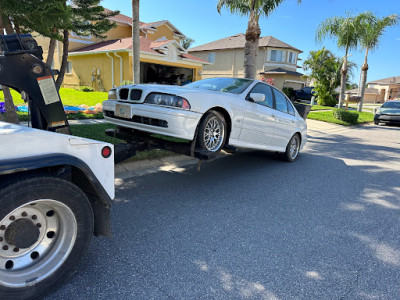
column 238, row 41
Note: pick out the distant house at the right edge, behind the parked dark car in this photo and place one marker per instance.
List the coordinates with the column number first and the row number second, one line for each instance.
column 380, row 91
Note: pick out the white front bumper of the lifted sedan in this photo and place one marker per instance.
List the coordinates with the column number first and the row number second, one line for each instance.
column 156, row 119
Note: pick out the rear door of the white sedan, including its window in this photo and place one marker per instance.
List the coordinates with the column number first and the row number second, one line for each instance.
column 285, row 120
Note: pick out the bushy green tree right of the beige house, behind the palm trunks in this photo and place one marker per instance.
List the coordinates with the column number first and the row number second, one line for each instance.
column 325, row 69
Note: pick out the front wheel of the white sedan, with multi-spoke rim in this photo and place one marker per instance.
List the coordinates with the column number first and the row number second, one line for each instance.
column 211, row 133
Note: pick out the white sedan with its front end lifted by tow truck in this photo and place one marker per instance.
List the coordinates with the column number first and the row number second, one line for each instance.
column 217, row 112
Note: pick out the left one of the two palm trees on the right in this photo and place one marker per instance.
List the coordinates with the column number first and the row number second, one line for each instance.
column 346, row 31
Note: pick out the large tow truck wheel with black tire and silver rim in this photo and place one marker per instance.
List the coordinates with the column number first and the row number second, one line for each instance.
column 46, row 224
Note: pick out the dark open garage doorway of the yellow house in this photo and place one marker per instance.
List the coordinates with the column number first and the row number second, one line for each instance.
column 162, row 74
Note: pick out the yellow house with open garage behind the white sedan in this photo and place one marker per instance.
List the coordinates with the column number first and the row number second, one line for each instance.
column 105, row 63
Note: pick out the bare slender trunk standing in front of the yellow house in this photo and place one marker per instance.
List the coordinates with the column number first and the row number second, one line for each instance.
column 135, row 42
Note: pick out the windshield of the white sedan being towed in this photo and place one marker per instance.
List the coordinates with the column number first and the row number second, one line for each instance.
column 227, row 85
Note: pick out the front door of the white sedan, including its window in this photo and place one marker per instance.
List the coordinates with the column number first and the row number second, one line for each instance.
column 258, row 122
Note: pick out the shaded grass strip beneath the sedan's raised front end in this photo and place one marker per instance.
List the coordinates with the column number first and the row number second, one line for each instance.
column 96, row 132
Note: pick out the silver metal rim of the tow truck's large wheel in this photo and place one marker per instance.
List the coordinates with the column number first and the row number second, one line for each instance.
column 35, row 240
